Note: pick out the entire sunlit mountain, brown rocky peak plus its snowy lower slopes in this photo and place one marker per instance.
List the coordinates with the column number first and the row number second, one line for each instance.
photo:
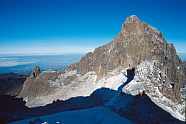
column 159, row 72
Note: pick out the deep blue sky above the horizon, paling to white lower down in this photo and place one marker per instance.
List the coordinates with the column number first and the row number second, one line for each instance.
column 78, row 26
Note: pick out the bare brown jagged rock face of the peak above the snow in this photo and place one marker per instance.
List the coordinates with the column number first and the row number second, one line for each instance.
column 136, row 43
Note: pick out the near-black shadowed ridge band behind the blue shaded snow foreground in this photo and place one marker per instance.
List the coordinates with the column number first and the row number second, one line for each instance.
column 138, row 109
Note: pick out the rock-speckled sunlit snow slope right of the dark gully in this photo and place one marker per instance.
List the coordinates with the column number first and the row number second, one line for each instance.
column 150, row 80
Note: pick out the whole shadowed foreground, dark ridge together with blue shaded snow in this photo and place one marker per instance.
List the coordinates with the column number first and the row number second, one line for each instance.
column 103, row 106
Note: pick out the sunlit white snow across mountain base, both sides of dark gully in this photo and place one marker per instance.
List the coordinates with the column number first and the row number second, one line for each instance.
column 146, row 79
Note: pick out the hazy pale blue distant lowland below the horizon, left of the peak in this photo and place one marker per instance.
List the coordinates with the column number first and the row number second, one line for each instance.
column 25, row 64
